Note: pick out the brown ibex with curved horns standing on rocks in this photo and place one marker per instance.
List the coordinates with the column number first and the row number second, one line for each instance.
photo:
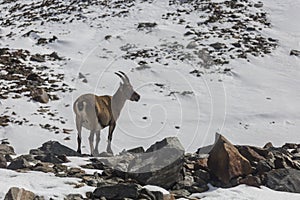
column 97, row 112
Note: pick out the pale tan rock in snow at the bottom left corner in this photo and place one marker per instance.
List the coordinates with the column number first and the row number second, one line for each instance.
column 15, row 193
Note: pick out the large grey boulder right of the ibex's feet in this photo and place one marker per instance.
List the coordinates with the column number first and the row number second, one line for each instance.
column 160, row 165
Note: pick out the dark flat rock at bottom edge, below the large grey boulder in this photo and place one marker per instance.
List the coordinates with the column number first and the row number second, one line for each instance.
column 118, row 191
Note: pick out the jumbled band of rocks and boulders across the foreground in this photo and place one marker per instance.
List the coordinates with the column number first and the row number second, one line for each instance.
column 165, row 164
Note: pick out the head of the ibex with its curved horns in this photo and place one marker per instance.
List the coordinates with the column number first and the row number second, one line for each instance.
column 126, row 88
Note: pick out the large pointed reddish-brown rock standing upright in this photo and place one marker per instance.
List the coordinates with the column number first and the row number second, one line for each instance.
column 225, row 161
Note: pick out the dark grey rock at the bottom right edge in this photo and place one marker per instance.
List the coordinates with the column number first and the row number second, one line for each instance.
column 287, row 180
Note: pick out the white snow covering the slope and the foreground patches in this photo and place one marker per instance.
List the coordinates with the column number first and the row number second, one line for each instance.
column 257, row 103
